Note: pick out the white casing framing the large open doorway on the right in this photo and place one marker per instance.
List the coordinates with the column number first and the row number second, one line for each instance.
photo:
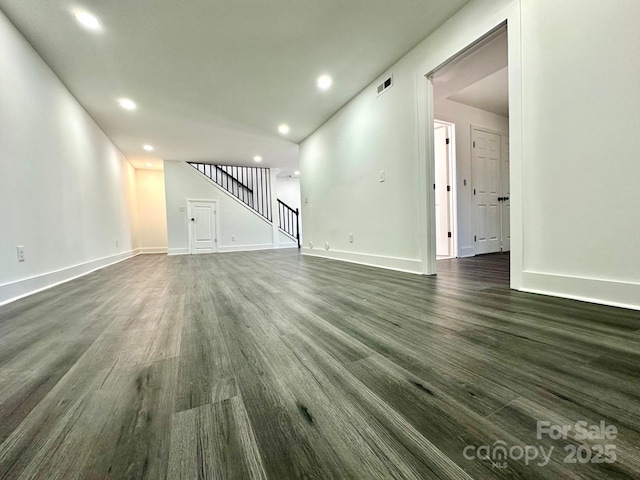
column 510, row 15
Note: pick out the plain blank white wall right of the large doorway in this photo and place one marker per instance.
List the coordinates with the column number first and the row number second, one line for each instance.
column 581, row 167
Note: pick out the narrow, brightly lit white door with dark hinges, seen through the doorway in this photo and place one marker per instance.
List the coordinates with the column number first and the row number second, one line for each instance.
column 443, row 192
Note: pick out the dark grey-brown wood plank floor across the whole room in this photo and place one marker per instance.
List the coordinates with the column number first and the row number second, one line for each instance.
column 273, row 365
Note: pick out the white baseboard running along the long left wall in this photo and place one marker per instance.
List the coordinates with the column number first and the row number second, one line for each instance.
column 12, row 291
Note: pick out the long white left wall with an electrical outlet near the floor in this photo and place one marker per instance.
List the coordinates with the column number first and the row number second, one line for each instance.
column 66, row 193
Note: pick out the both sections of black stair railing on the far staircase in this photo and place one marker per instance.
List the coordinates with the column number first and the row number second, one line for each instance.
column 252, row 186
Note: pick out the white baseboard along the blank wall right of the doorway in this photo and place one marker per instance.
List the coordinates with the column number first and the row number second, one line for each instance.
column 606, row 292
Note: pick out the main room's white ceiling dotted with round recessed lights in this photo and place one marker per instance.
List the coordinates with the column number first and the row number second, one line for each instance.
column 213, row 79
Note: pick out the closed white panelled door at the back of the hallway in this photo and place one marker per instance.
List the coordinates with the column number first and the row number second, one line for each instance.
column 486, row 190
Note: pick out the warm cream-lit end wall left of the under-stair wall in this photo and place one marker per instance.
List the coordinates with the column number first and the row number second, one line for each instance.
column 152, row 213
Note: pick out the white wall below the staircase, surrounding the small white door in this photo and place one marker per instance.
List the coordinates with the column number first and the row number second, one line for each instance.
column 182, row 182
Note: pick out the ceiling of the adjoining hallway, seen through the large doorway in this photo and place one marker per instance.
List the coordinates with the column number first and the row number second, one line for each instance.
column 478, row 79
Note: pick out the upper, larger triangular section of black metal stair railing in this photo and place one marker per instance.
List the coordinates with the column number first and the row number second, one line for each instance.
column 250, row 185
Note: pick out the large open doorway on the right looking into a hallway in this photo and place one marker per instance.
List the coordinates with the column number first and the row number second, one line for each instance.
column 471, row 101
